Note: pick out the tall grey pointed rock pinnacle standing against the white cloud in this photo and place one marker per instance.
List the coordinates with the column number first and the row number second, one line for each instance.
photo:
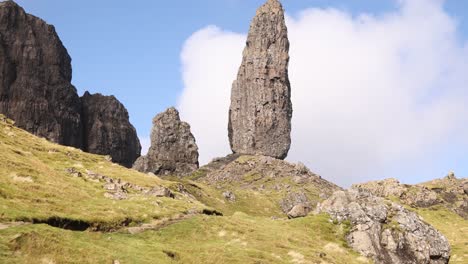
column 261, row 109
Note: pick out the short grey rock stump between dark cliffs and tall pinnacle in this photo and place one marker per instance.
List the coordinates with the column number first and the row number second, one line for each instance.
column 173, row 148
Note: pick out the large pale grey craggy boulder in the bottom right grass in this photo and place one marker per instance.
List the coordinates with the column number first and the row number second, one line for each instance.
column 385, row 231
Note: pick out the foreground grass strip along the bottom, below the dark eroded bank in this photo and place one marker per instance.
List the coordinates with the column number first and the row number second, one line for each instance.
column 203, row 239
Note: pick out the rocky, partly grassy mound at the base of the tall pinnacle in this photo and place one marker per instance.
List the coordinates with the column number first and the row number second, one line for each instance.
column 291, row 190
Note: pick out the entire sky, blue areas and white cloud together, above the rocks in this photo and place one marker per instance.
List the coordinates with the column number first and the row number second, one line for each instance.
column 379, row 87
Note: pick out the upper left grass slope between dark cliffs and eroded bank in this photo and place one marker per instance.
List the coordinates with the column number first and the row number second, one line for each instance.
column 34, row 184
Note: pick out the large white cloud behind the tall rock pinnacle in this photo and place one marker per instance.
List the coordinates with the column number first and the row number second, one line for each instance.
column 371, row 94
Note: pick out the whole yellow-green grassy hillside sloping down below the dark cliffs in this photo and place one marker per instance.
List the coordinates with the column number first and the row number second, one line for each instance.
column 54, row 209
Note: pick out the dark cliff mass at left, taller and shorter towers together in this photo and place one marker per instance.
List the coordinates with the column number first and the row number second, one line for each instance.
column 36, row 92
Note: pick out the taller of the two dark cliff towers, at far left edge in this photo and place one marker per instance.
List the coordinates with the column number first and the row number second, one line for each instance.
column 35, row 76
